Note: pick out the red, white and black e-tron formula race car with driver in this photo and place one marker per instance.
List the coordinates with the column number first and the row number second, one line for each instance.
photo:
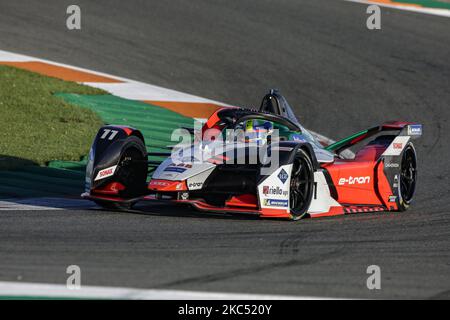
column 261, row 162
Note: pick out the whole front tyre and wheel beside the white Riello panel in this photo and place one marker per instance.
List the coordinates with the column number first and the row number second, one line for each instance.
column 302, row 185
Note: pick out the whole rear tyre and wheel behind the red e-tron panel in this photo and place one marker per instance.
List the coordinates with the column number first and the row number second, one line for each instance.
column 408, row 177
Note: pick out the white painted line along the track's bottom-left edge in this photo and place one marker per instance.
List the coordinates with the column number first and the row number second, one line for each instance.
column 18, row 289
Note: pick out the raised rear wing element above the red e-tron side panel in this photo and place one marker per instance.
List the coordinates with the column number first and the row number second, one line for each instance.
column 413, row 130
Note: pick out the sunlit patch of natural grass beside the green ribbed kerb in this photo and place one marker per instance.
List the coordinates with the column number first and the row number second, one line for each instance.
column 37, row 127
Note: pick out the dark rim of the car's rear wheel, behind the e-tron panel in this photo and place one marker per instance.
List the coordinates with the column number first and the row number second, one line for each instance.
column 408, row 175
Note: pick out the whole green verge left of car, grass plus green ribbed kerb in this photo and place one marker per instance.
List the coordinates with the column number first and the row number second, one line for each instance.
column 50, row 121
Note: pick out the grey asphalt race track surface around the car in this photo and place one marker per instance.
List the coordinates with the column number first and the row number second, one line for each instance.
column 339, row 76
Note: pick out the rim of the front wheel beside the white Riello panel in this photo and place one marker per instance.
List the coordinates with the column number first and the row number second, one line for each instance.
column 301, row 187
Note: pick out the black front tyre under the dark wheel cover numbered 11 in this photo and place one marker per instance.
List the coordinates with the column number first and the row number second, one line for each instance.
column 131, row 173
